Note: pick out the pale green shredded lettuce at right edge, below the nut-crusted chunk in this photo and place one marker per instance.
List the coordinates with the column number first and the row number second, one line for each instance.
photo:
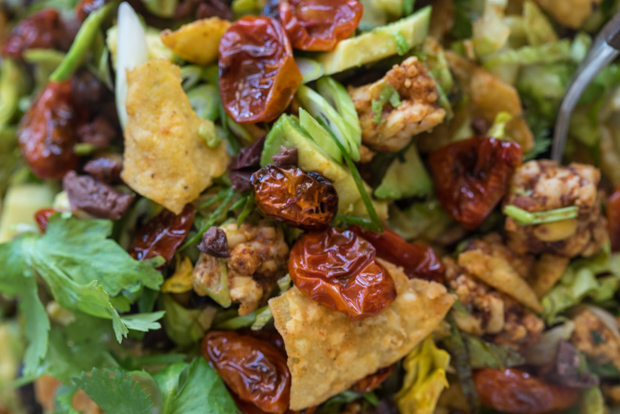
column 581, row 281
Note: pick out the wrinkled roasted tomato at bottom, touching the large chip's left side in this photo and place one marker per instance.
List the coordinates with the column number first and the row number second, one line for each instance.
column 253, row 369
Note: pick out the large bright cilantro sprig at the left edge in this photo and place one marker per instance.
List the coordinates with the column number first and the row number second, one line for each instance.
column 84, row 270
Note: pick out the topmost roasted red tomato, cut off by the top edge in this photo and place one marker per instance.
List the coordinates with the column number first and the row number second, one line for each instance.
column 319, row 25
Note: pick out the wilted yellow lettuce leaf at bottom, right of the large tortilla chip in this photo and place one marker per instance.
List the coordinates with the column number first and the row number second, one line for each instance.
column 425, row 379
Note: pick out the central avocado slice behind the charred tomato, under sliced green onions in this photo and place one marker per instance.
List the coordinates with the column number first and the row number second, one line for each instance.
column 288, row 133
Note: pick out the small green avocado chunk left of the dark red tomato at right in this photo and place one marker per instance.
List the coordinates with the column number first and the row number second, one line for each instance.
column 405, row 178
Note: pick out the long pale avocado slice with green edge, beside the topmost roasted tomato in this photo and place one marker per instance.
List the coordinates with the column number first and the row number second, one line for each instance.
column 376, row 44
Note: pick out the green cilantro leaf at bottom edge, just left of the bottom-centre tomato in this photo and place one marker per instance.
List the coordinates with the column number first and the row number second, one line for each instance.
column 193, row 388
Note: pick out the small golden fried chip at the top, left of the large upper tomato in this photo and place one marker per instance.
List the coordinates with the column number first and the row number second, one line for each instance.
column 197, row 42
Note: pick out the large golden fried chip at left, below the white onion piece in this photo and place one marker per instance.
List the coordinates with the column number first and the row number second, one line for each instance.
column 166, row 159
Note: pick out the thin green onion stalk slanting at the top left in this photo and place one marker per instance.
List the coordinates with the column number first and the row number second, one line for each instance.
column 83, row 41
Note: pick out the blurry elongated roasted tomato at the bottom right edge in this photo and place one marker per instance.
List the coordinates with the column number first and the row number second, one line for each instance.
column 515, row 392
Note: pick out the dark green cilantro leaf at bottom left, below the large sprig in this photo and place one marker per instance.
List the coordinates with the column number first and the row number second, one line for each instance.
column 114, row 391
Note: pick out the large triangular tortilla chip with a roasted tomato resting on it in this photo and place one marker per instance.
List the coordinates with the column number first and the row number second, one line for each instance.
column 327, row 353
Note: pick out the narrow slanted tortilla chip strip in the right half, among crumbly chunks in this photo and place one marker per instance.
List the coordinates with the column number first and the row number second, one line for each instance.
column 495, row 270
